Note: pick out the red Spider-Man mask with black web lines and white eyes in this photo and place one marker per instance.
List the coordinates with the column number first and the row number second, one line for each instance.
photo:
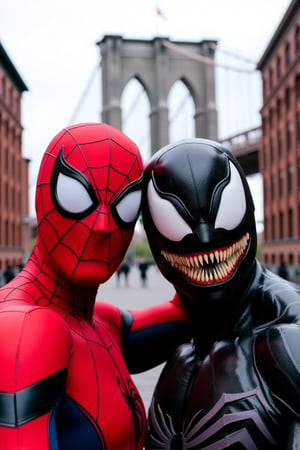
column 87, row 201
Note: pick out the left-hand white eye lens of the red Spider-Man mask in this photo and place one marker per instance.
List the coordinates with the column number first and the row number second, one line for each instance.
column 71, row 195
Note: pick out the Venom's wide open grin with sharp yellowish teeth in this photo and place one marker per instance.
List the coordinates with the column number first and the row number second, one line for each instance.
column 211, row 267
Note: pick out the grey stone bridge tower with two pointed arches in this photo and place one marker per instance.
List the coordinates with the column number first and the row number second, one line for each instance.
column 157, row 64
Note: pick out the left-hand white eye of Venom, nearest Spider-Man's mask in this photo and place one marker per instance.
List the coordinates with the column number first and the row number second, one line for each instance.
column 165, row 217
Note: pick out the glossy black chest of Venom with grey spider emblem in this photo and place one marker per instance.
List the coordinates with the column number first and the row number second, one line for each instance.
column 216, row 403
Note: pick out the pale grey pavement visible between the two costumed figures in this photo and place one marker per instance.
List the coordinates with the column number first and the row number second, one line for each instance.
column 137, row 297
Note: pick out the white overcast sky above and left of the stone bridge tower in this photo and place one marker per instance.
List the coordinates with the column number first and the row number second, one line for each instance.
column 53, row 46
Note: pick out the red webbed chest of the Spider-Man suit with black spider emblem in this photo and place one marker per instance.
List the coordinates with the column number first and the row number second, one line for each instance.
column 99, row 382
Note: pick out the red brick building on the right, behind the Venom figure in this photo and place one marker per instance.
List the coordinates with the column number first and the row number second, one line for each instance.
column 280, row 145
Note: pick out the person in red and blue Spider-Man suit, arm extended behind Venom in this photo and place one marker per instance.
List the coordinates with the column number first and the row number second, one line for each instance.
column 65, row 359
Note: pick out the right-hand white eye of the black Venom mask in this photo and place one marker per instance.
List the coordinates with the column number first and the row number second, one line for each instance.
column 232, row 204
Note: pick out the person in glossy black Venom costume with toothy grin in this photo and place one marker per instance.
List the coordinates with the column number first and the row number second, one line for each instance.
column 237, row 385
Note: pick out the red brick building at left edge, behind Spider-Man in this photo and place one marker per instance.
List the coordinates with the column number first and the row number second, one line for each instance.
column 14, row 222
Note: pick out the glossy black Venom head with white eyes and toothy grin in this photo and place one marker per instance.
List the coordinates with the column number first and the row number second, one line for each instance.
column 198, row 214
